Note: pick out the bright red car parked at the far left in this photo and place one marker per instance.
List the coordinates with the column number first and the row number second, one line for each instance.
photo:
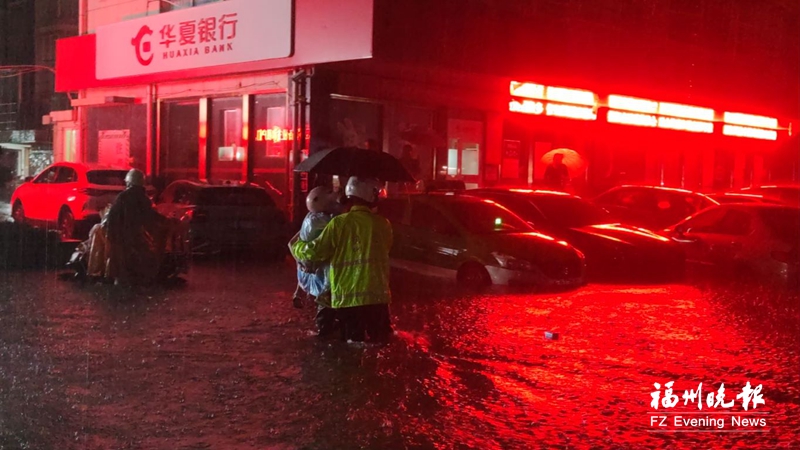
column 67, row 195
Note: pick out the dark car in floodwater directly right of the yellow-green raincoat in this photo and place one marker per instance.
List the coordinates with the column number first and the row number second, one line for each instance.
column 477, row 243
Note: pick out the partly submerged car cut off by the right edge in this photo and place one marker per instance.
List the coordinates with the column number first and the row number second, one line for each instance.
column 743, row 241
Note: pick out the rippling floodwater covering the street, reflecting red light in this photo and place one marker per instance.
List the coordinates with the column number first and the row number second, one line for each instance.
column 225, row 362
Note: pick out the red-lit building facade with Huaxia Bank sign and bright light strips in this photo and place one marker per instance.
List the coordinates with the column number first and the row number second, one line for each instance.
column 647, row 92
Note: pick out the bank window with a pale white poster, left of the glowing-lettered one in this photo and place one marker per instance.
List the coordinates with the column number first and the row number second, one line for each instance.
column 227, row 149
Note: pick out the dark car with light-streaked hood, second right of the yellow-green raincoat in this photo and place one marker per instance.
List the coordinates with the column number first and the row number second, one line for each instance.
column 612, row 249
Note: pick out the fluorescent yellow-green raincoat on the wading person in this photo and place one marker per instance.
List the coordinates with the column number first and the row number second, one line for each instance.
column 357, row 246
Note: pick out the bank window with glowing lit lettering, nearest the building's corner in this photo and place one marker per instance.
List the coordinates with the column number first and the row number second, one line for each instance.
column 272, row 143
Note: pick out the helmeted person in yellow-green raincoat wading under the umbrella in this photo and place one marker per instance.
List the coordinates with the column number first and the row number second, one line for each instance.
column 357, row 246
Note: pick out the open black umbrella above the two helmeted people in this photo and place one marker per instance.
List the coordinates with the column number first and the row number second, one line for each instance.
column 351, row 161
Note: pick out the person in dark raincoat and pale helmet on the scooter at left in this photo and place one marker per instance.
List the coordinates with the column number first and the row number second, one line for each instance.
column 130, row 223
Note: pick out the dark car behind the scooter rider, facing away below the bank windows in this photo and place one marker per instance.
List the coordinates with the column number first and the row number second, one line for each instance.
column 226, row 218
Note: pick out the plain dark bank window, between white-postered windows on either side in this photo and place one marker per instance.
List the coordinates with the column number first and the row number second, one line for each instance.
column 178, row 157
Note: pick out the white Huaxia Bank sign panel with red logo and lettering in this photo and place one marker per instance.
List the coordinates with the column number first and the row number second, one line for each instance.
column 230, row 32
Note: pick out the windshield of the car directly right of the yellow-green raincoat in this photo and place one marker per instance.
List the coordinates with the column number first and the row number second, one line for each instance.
column 485, row 217
